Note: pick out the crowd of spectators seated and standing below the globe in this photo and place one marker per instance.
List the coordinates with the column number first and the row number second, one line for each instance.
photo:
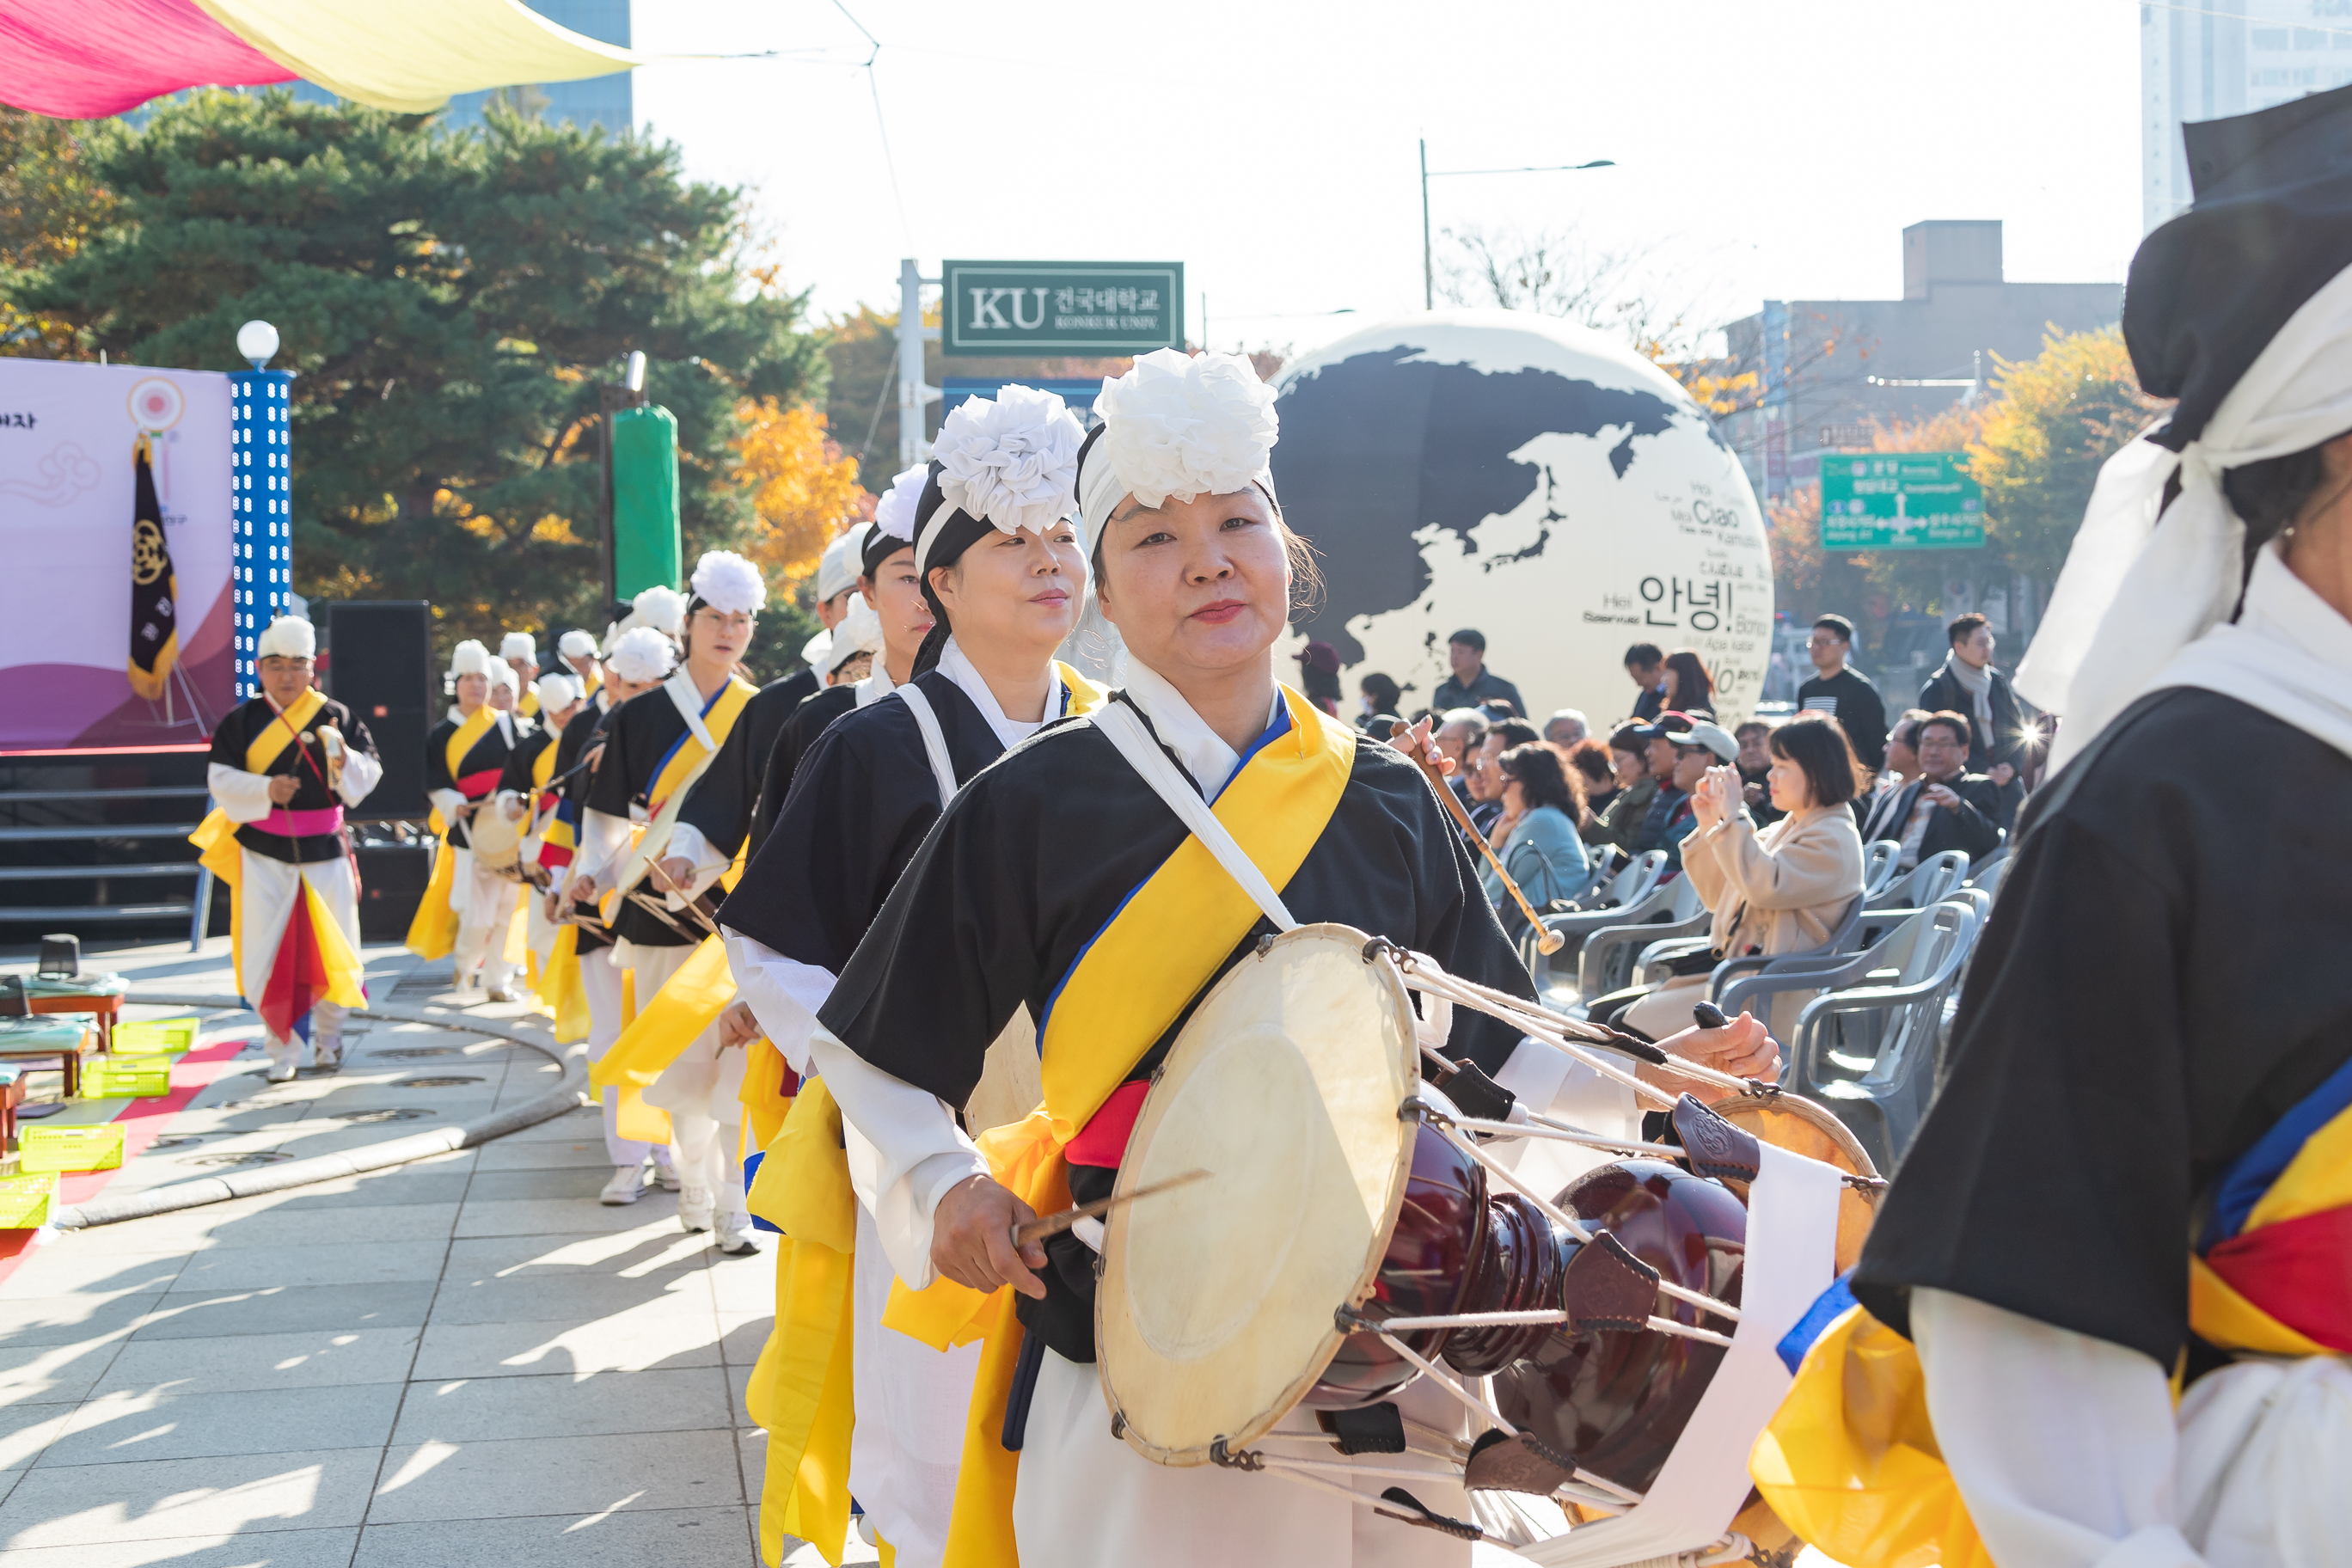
column 1760, row 817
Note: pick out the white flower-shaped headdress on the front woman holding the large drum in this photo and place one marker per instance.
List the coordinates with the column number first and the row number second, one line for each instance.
column 1180, row 427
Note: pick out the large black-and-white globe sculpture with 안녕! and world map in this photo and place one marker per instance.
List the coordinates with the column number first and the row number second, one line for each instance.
column 1528, row 478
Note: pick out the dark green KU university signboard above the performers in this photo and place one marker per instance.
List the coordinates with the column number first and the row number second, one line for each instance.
column 1060, row 307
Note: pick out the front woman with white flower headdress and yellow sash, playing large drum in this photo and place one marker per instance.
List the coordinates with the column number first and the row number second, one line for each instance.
column 1060, row 883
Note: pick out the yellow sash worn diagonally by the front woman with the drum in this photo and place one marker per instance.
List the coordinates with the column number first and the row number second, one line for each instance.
column 1121, row 998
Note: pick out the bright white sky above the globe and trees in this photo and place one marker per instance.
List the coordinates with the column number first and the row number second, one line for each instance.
column 1763, row 149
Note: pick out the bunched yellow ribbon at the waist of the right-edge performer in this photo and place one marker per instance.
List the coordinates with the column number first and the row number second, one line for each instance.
column 1852, row 1466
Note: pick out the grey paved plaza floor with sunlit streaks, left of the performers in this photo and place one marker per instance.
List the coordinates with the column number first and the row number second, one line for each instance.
column 465, row 1360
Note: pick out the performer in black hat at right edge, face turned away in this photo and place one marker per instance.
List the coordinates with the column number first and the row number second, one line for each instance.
column 2139, row 1172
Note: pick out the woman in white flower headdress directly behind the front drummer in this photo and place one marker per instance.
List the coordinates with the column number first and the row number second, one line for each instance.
column 1003, row 572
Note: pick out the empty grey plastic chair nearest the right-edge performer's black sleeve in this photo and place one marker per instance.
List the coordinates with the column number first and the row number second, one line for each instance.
column 1869, row 1047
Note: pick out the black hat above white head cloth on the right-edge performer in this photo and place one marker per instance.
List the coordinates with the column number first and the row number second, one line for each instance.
column 2269, row 229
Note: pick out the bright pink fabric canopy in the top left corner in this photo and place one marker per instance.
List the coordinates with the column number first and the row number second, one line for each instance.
column 83, row 60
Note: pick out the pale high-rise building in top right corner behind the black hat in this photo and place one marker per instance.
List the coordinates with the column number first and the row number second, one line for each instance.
column 2226, row 58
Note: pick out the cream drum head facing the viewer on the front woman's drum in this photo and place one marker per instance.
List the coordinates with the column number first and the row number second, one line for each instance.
column 1215, row 1304
